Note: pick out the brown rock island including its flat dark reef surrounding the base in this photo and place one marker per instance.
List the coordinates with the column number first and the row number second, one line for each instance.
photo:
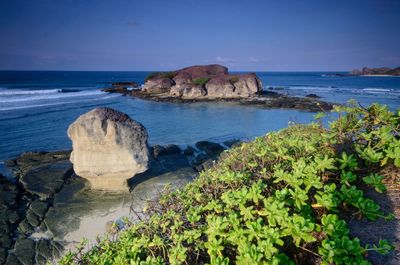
column 213, row 83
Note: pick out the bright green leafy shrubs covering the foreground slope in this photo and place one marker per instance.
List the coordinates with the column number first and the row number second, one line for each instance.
column 281, row 199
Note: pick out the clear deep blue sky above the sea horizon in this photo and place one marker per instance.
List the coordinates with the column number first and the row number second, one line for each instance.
column 160, row 35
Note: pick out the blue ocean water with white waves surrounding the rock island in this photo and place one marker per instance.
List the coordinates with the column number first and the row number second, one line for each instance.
column 36, row 107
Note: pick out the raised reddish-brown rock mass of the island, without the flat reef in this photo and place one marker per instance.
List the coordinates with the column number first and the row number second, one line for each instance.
column 203, row 81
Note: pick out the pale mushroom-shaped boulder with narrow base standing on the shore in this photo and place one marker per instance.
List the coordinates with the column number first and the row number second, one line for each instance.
column 108, row 148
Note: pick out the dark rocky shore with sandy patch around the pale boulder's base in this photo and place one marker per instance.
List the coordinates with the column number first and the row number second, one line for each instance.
column 46, row 198
